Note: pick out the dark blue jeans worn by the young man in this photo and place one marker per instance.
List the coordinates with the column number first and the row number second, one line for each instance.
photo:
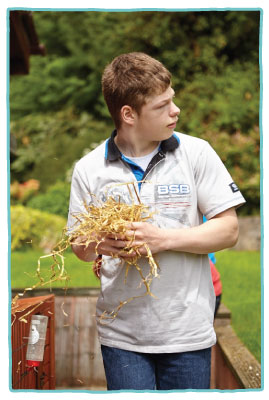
column 162, row 371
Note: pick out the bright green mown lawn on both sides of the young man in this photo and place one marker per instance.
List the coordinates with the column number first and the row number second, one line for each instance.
column 240, row 275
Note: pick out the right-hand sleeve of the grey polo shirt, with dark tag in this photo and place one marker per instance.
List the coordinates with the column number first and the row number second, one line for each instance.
column 216, row 190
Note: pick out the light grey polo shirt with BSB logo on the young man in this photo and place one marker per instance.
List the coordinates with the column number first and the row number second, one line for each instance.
column 184, row 181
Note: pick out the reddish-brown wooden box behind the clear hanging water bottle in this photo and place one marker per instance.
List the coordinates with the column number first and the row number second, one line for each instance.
column 42, row 377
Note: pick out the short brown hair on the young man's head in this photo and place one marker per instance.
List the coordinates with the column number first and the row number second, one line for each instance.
column 130, row 79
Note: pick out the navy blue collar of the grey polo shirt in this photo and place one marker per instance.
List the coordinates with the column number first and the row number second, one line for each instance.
column 113, row 153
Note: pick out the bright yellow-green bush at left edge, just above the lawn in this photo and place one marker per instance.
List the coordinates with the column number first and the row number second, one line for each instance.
column 34, row 228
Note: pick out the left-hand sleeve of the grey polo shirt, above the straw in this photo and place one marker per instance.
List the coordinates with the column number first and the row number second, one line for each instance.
column 79, row 197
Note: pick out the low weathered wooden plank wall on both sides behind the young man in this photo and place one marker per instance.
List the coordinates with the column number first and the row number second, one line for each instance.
column 78, row 357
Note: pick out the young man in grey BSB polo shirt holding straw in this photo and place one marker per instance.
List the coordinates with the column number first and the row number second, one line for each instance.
column 162, row 343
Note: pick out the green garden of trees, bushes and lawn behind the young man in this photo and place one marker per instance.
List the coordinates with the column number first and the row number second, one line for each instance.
column 57, row 114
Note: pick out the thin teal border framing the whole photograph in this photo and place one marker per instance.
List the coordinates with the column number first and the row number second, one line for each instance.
column 261, row 194
